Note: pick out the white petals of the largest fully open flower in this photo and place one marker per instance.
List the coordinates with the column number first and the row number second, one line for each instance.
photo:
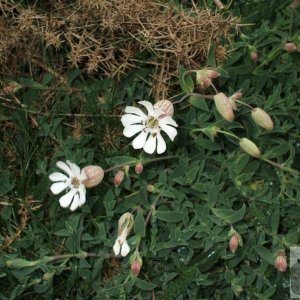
column 148, row 127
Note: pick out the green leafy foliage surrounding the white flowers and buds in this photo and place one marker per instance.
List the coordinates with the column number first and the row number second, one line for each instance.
column 185, row 206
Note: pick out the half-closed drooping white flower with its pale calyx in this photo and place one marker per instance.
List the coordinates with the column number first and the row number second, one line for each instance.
column 124, row 227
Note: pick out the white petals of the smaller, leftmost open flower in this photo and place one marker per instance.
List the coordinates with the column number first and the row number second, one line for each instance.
column 73, row 183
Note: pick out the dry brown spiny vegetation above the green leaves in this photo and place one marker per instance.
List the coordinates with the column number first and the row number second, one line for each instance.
column 109, row 37
